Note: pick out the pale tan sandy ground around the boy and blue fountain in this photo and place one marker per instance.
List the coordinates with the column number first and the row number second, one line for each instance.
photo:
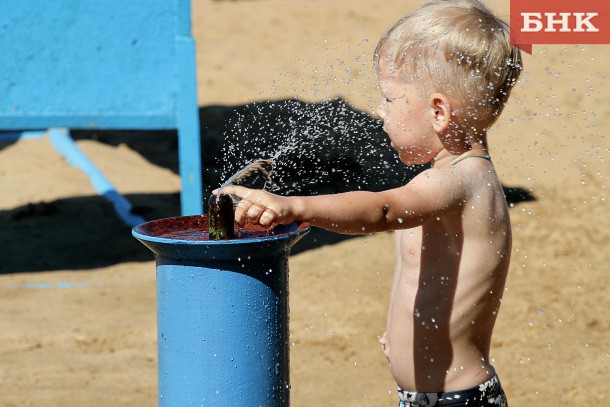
column 77, row 294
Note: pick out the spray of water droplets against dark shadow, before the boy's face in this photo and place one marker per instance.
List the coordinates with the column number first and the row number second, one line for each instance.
column 315, row 148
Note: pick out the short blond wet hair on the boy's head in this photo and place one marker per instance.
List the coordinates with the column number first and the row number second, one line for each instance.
column 462, row 49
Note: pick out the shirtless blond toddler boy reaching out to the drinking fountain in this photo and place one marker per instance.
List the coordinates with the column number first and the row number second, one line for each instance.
column 445, row 73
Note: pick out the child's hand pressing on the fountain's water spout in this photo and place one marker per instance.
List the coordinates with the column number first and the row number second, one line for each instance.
column 260, row 207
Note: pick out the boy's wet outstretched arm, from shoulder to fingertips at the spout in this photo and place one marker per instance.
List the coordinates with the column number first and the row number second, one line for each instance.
column 428, row 195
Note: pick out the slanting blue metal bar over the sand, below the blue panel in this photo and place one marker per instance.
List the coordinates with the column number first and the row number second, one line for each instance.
column 61, row 140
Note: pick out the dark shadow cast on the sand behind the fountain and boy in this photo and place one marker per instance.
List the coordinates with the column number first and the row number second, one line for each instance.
column 342, row 149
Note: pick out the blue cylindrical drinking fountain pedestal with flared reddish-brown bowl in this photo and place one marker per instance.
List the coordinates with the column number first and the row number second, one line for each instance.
column 222, row 314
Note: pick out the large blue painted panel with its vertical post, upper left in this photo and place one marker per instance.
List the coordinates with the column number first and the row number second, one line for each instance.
column 109, row 64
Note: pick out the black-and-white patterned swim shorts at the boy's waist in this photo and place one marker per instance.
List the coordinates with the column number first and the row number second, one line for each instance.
column 488, row 394
